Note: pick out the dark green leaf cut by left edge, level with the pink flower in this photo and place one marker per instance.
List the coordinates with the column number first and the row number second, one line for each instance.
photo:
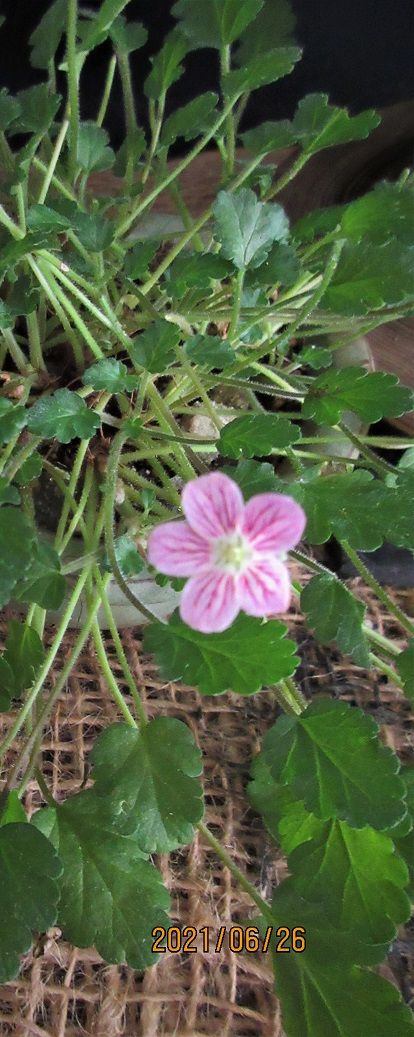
column 17, row 538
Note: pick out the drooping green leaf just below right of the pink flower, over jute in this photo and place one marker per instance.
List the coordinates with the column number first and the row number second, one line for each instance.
column 335, row 614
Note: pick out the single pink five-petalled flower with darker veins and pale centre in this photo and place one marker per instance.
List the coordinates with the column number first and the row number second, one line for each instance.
column 232, row 552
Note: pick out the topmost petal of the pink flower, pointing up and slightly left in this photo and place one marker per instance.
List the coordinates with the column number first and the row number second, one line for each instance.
column 212, row 506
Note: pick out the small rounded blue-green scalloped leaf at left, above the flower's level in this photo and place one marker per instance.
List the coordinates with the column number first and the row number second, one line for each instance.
column 64, row 416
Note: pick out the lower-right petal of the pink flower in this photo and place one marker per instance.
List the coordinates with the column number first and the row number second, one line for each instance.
column 265, row 588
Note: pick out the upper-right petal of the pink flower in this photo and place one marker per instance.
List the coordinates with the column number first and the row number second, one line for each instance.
column 273, row 523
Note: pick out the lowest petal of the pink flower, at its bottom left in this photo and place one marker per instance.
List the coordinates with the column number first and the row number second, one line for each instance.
column 209, row 602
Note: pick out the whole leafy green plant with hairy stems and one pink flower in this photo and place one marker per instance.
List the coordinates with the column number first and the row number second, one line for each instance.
column 158, row 382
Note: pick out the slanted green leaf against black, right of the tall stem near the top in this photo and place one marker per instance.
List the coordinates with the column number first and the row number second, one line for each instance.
column 261, row 71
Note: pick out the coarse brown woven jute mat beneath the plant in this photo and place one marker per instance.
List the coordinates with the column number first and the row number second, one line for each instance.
column 63, row 992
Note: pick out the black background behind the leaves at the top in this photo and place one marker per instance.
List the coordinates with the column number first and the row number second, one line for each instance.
column 361, row 52
